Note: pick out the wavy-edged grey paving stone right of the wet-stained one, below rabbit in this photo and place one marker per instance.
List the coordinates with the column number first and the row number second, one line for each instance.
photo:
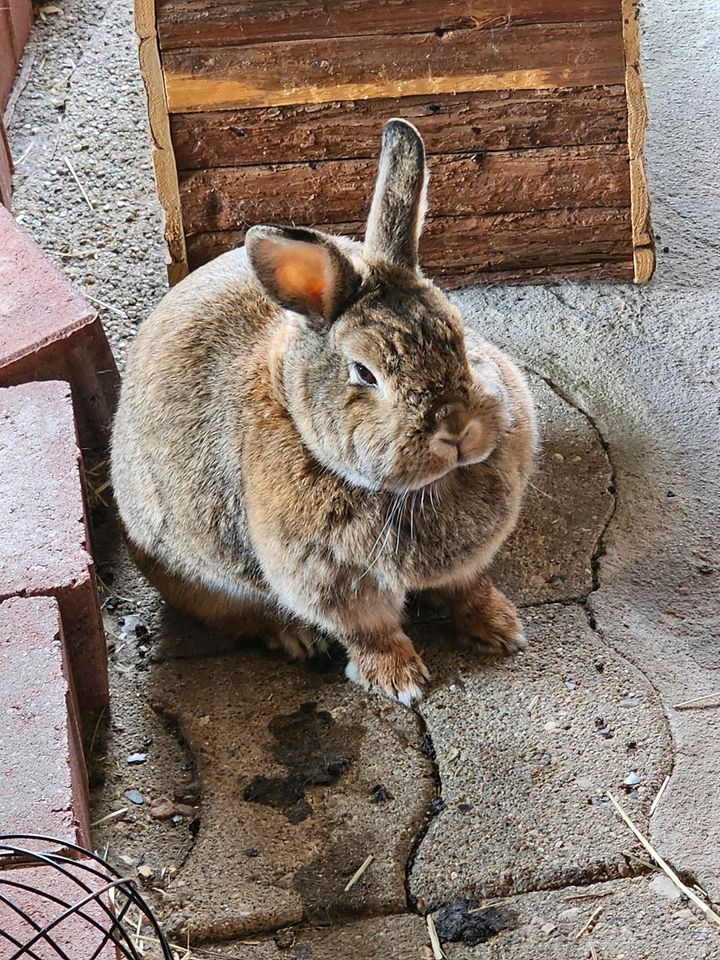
column 526, row 750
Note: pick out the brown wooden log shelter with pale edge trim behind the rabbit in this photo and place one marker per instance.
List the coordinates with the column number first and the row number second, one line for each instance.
column 206, row 176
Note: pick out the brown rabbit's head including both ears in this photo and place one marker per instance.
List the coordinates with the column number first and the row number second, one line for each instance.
column 375, row 373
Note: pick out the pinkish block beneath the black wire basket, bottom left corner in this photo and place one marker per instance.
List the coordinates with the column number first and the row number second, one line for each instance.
column 78, row 936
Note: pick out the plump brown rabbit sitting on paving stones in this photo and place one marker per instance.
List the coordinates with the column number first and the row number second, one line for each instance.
column 306, row 434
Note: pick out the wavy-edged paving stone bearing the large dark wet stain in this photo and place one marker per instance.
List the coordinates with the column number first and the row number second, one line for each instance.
column 302, row 778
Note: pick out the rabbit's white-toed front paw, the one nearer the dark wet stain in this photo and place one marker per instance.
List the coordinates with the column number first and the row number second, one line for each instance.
column 396, row 670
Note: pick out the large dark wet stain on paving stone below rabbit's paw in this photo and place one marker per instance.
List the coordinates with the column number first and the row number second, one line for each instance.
column 315, row 750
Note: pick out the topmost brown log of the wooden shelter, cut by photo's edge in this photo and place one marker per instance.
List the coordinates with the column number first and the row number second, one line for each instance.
column 187, row 23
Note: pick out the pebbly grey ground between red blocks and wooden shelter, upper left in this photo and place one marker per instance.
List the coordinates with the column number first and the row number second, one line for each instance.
column 83, row 107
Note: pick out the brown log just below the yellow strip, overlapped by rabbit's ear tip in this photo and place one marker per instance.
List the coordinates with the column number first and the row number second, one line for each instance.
column 468, row 122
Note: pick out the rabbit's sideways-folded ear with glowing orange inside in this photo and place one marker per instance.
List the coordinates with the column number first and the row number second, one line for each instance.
column 302, row 270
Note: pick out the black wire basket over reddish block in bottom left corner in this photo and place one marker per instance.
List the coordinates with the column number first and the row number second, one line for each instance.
column 71, row 905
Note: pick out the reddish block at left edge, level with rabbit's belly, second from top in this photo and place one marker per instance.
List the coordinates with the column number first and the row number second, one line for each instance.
column 43, row 533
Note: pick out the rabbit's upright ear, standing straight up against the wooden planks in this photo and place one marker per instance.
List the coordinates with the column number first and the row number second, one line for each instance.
column 398, row 206
